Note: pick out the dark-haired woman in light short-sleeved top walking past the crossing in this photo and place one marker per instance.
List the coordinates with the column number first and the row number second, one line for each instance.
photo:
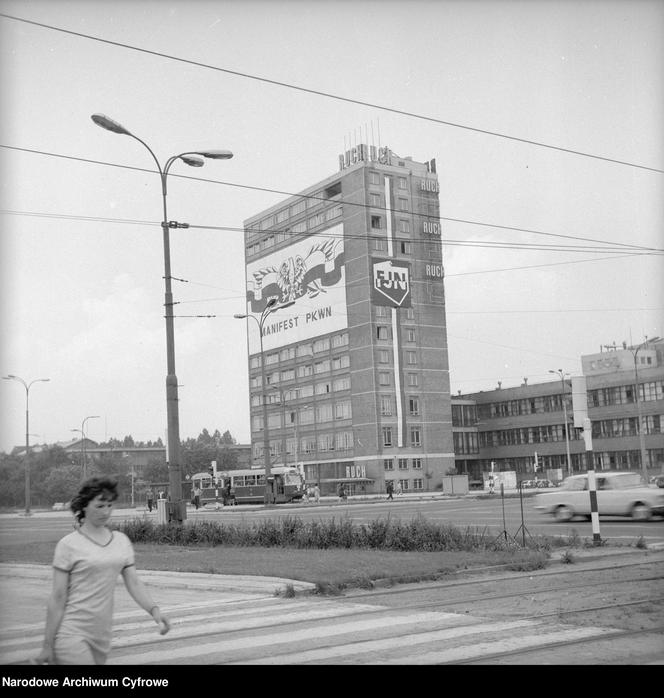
column 86, row 565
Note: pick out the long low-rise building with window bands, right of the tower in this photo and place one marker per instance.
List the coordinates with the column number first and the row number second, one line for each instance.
column 516, row 428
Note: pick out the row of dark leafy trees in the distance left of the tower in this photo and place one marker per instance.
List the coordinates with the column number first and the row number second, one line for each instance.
column 55, row 474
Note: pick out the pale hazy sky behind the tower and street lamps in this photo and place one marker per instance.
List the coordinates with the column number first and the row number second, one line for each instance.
column 545, row 120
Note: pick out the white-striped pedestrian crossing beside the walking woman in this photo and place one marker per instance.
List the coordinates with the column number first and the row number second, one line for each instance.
column 307, row 630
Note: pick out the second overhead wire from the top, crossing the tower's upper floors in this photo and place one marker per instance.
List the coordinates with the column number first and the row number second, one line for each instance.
column 318, row 198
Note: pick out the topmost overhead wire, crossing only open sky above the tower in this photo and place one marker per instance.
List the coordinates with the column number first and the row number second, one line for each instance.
column 329, row 95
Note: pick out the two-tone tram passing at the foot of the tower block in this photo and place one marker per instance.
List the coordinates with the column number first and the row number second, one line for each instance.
column 247, row 486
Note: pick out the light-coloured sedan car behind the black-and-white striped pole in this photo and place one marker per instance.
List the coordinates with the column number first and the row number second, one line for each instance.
column 618, row 494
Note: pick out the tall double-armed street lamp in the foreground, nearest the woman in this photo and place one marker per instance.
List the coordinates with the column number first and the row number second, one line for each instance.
column 173, row 423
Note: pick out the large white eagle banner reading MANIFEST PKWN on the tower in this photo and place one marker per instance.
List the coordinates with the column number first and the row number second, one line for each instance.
column 310, row 273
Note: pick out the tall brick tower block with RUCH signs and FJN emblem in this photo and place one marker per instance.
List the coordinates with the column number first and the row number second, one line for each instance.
column 357, row 368
